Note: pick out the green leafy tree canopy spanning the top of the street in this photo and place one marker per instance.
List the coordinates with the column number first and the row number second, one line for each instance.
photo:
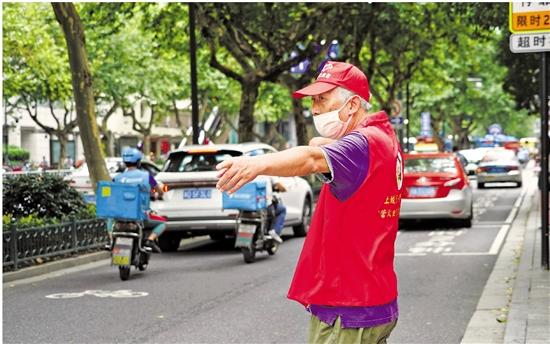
column 453, row 56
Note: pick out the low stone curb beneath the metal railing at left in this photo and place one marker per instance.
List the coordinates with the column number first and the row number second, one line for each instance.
column 34, row 271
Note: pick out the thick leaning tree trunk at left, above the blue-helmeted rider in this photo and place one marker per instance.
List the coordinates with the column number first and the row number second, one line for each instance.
column 73, row 30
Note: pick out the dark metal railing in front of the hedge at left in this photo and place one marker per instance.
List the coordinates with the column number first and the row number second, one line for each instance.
column 25, row 245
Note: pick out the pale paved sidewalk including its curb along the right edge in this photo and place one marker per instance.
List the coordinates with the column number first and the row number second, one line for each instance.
column 515, row 304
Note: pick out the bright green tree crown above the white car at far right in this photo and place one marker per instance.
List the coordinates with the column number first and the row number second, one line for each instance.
column 464, row 91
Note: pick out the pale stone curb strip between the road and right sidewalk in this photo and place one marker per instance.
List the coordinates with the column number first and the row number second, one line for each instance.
column 488, row 322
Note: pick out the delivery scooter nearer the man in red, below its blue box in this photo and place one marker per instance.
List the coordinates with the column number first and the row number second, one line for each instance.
column 252, row 233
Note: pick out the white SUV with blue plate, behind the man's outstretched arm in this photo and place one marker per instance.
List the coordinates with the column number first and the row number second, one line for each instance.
column 193, row 205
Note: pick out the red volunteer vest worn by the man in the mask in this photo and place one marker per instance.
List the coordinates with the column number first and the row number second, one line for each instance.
column 347, row 258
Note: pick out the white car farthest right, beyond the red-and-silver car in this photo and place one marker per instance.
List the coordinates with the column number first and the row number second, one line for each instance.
column 499, row 165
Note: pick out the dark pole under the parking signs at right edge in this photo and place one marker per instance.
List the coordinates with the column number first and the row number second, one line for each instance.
column 544, row 159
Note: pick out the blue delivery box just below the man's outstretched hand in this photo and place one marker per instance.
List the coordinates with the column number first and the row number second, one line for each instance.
column 250, row 197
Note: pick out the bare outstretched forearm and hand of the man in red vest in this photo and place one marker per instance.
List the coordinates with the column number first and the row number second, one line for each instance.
column 297, row 161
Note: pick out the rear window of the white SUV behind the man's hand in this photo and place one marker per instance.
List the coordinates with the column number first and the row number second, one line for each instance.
column 196, row 162
